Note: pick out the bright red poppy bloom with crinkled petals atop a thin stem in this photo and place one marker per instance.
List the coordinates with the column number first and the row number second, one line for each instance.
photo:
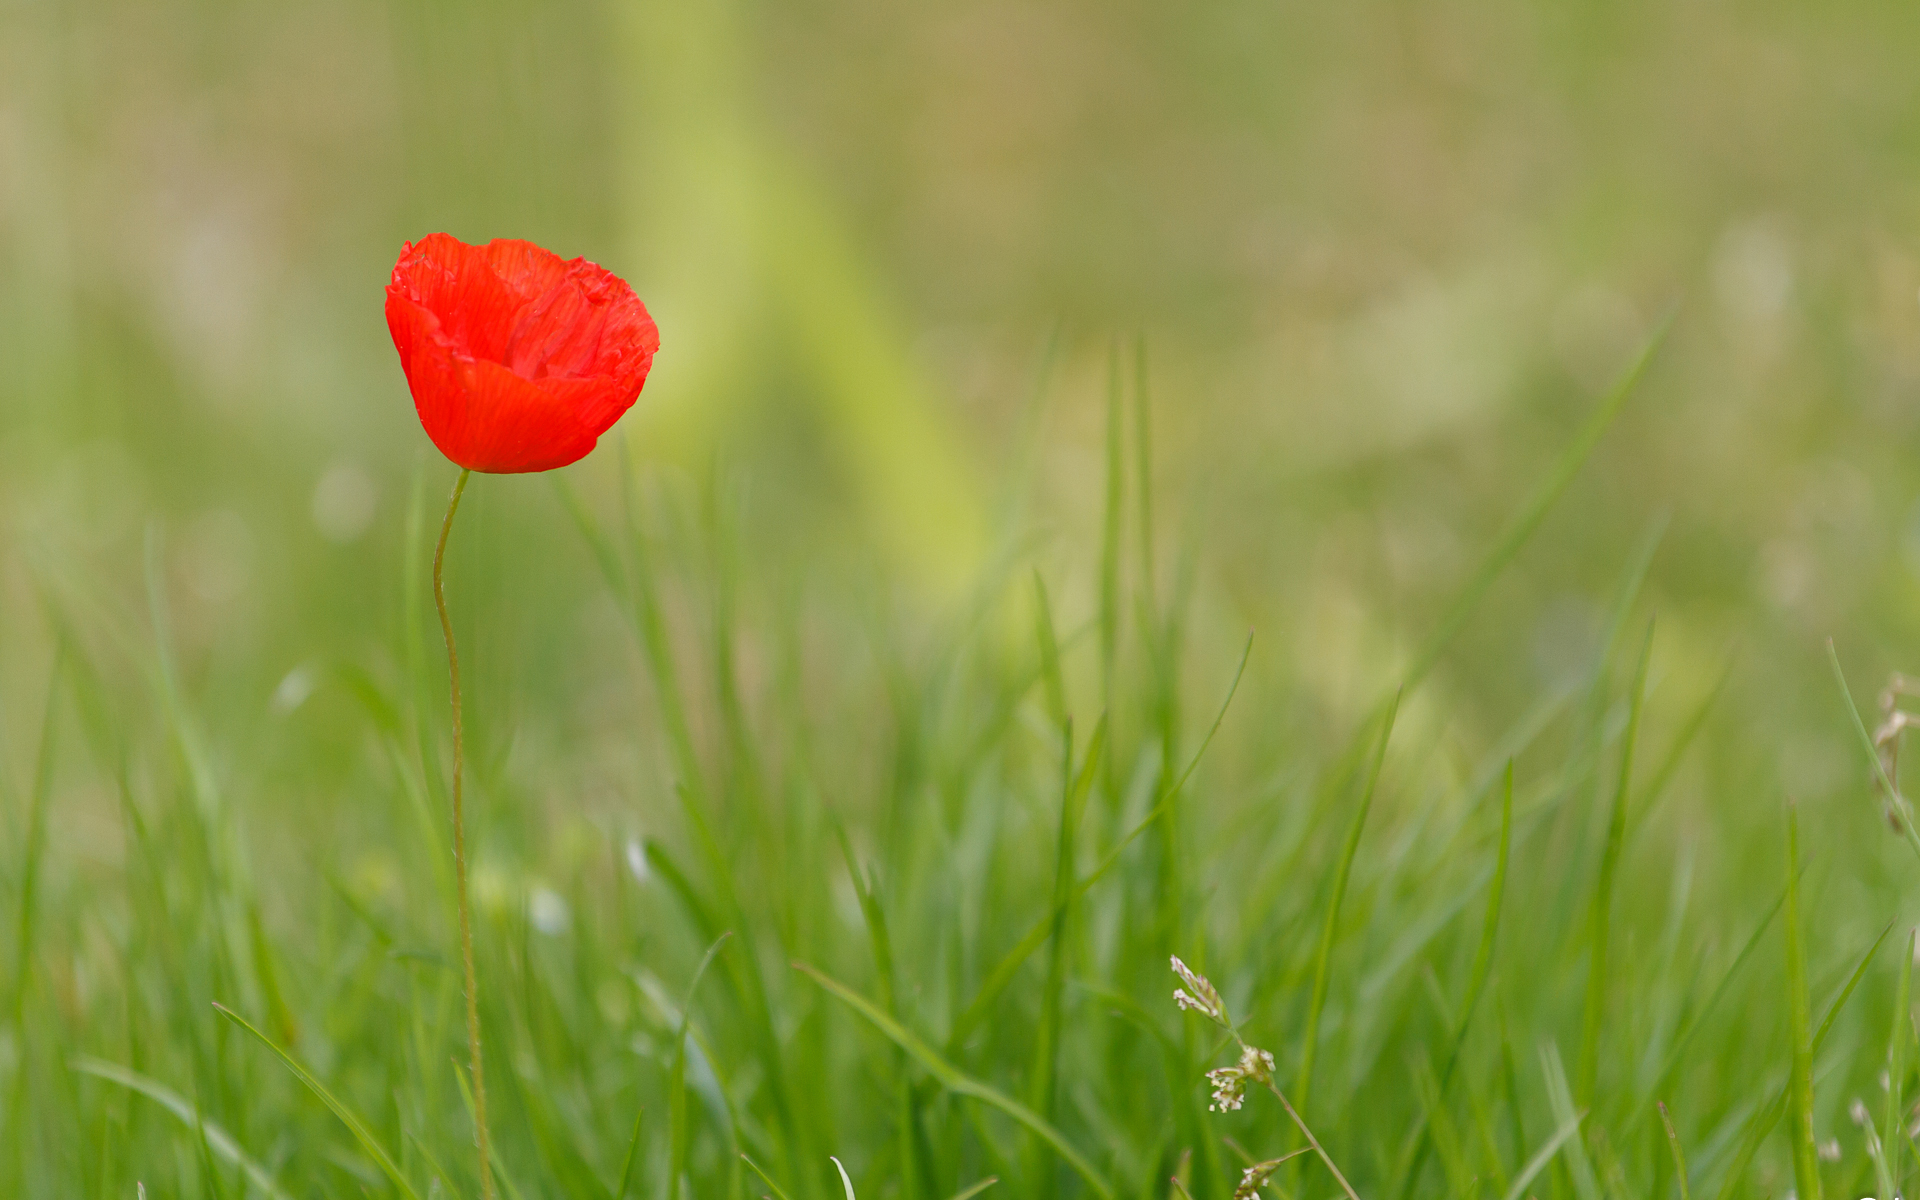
column 517, row 360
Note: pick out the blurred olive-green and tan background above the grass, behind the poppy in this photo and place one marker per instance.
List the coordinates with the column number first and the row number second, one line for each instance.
column 1383, row 260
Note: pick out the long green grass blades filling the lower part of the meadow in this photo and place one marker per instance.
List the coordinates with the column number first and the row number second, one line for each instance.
column 938, row 921
